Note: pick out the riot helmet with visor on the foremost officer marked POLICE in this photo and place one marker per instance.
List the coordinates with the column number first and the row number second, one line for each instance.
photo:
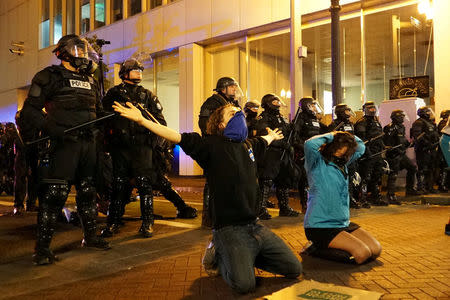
column 78, row 52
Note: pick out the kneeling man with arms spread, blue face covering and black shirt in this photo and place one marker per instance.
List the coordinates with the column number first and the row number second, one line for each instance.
column 229, row 160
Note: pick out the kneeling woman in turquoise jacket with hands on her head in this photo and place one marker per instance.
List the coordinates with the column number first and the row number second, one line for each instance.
column 327, row 219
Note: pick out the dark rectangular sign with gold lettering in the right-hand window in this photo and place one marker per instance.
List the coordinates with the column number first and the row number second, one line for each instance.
column 409, row 87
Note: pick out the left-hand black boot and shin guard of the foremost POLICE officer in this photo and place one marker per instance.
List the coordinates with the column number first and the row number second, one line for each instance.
column 47, row 217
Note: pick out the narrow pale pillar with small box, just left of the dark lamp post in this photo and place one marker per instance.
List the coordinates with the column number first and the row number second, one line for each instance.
column 296, row 62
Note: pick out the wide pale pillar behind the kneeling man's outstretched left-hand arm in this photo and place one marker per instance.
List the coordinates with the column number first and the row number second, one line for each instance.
column 191, row 99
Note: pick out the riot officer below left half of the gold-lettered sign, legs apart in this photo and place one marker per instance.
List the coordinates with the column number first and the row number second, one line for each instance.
column 394, row 136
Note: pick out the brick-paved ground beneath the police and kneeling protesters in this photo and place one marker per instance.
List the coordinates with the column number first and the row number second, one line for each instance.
column 414, row 263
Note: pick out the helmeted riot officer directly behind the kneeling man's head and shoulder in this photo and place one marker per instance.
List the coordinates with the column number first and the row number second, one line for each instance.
column 227, row 91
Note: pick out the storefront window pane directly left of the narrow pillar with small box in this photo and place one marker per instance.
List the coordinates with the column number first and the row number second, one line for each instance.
column 269, row 69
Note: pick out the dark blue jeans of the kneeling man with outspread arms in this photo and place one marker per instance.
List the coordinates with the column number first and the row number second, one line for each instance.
column 239, row 249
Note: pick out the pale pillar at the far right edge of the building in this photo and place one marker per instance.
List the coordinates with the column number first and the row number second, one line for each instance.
column 441, row 23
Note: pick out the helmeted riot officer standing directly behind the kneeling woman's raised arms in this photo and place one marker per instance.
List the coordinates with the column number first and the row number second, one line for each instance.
column 341, row 122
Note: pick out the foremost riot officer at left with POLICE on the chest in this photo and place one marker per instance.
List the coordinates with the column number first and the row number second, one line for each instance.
column 70, row 97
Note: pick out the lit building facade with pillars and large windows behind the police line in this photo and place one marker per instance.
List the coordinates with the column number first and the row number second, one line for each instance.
column 195, row 42
